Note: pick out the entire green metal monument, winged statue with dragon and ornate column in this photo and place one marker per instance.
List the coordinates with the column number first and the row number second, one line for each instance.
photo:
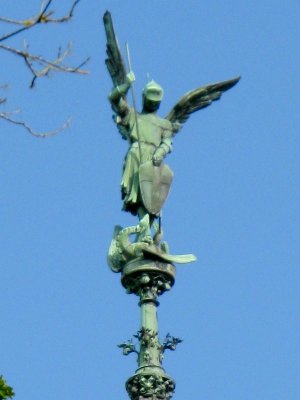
column 138, row 252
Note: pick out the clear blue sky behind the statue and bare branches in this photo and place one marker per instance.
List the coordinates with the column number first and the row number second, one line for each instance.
column 234, row 203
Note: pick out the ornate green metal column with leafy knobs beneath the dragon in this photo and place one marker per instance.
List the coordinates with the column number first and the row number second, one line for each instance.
column 149, row 279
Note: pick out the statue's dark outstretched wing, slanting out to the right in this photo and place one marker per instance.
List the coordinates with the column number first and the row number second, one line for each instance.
column 197, row 99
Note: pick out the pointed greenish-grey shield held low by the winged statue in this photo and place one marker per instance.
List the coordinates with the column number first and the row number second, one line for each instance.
column 155, row 183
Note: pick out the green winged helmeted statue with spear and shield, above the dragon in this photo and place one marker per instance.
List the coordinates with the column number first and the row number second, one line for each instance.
column 146, row 178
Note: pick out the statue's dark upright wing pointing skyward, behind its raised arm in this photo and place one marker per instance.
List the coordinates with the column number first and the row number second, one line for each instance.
column 114, row 61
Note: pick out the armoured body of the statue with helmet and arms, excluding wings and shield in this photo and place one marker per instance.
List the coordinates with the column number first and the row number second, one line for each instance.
column 149, row 136
